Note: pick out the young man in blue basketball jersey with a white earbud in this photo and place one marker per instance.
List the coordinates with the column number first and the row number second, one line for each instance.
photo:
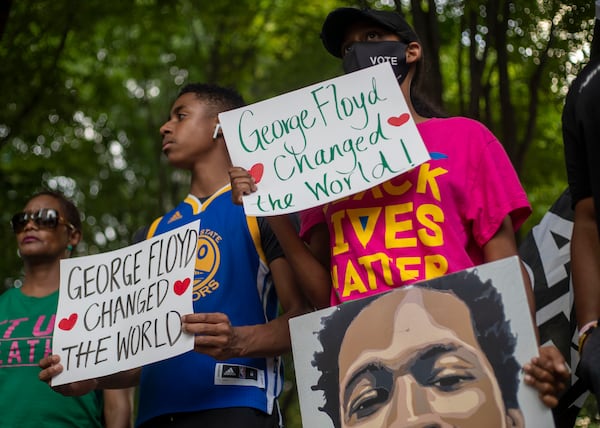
column 234, row 377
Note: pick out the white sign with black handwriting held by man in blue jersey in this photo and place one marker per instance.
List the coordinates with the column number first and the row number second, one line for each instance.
column 122, row 309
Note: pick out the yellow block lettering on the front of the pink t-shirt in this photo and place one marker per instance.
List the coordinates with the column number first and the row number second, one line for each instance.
column 405, row 225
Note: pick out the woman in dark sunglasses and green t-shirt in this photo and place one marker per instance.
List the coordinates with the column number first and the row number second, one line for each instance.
column 46, row 231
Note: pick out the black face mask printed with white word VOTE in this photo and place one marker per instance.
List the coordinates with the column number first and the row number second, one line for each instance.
column 366, row 54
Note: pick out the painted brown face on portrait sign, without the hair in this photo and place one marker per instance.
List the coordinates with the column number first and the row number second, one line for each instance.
column 401, row 365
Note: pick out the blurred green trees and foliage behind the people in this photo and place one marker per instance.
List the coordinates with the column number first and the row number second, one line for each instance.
column 85, row 86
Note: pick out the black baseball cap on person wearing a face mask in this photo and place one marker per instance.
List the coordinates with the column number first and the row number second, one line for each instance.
column 337, row 22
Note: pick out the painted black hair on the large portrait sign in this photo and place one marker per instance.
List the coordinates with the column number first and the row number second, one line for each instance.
column 491, row 328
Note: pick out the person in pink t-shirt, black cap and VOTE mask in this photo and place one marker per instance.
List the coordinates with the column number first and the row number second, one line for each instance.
column 455, row 211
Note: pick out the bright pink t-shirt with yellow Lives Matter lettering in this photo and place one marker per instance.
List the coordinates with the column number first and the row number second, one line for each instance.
column 428, row 222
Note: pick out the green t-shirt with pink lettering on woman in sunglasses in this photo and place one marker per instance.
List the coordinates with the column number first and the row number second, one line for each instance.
column 26, row 325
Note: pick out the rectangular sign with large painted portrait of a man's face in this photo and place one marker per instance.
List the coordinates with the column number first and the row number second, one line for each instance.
column 447, row 351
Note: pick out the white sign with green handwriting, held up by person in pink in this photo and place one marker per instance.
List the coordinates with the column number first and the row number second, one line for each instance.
column 324, row 142
